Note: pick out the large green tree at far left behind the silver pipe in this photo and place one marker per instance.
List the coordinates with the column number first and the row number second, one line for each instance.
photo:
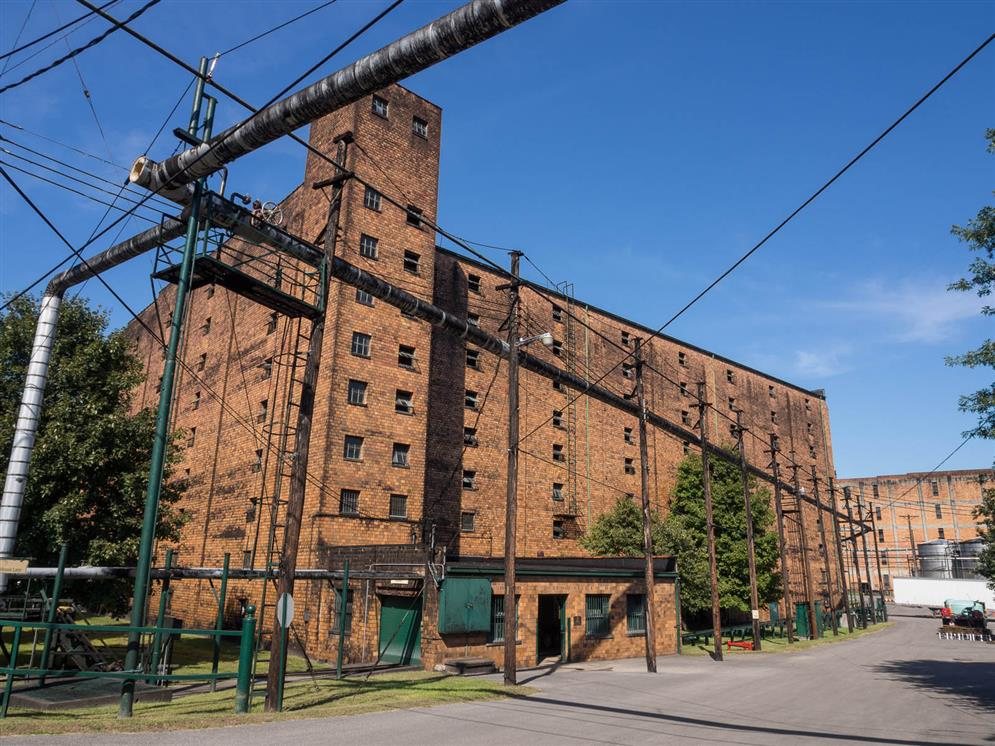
column 89, row 469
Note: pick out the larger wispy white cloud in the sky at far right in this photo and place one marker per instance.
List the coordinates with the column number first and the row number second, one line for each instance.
column 920, row 310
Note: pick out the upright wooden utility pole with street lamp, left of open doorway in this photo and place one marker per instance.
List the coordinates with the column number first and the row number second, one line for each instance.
column 511, row 506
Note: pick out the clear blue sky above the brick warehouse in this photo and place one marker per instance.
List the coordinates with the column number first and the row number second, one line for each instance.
column 635, row 149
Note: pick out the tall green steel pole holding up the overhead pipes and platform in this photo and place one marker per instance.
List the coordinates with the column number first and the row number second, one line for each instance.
column 158, row 457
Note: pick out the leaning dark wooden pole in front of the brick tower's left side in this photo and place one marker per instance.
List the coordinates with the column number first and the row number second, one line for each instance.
column 302, row 439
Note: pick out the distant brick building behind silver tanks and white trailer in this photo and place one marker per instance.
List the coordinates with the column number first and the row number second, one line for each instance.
column 913, row 509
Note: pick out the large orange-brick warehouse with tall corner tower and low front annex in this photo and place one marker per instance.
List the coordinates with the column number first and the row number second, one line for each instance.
column 408, row 448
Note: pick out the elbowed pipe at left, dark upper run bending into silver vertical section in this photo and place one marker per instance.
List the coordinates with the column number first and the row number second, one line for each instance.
column 29, row 414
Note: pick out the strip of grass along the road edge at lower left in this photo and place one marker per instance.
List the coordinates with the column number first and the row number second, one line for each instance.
column 301, row 700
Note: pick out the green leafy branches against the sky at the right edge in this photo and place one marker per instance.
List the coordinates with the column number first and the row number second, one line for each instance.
column 979, row 235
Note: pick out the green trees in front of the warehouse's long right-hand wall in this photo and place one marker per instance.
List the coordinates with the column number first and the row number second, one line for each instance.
column 619, row 532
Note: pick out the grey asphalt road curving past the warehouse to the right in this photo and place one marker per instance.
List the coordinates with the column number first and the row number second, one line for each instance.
column 898, row 686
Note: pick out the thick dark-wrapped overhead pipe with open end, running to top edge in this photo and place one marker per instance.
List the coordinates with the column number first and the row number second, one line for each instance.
column 463, row 28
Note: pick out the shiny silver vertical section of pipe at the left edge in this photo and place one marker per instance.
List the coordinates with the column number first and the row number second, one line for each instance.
column 26, row 429
